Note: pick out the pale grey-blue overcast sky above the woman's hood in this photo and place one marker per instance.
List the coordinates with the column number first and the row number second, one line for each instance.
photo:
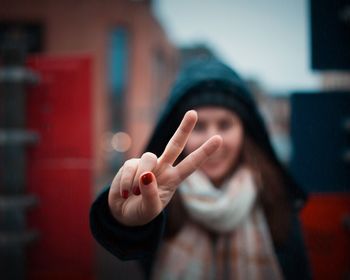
column 264, row 40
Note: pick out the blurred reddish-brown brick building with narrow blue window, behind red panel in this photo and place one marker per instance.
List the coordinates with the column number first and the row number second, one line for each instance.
column 133, row 61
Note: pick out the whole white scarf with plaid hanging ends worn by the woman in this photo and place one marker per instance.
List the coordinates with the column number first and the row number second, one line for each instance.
column 243, row 248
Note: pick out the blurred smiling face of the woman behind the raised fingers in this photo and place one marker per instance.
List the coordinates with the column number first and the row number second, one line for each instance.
column 221, row 121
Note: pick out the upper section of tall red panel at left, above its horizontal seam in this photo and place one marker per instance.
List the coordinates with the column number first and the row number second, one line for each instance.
column 60, row 108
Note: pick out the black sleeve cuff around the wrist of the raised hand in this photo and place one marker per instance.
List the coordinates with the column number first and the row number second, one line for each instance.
column 126, row 243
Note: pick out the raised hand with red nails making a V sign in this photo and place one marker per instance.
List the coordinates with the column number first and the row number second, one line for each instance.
column 144, row 186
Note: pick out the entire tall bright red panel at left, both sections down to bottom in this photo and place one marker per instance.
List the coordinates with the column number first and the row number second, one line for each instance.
column 60, row 168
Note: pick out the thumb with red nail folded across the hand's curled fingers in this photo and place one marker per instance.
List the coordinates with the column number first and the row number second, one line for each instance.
column 151, row 203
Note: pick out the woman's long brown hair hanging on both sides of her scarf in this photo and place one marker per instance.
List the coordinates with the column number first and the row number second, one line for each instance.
column 272, row 194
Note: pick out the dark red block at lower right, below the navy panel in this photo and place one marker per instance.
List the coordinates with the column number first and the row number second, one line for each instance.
column 327, row 236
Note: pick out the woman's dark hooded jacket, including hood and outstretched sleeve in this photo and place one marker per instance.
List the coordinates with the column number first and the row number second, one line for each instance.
column 141, row 242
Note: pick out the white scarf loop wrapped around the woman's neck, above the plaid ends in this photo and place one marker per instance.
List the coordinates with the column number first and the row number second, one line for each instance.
column 221, row 210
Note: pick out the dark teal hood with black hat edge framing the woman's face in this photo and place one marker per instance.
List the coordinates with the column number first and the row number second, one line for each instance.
column 212, row 83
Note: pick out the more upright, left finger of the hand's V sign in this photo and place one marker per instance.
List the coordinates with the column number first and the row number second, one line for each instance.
column 177, row 143
